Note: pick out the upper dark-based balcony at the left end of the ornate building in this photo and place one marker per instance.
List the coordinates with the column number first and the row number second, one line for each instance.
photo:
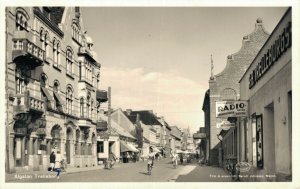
column 24, row 51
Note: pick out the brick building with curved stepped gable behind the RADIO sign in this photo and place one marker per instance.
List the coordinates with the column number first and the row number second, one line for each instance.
column 225, row 86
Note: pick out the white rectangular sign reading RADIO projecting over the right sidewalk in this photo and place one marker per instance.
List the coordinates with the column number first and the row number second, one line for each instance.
column 231, row 109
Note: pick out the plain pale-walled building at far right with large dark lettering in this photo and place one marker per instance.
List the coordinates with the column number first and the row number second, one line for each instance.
column 265, row 136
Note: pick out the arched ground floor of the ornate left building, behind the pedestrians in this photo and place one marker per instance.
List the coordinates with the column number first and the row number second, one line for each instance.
column 32, row 138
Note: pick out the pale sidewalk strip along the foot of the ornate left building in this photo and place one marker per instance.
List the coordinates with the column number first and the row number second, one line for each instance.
column 16, row 176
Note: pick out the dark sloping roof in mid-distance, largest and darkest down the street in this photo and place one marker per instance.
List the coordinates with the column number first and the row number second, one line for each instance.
column 146, row 116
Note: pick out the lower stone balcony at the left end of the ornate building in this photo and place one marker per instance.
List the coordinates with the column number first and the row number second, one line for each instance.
column 24, row 103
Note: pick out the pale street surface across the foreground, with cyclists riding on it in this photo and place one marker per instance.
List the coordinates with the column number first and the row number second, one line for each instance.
column 162, row 171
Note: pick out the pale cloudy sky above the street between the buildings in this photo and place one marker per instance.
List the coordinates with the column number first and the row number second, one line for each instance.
column 159, row 58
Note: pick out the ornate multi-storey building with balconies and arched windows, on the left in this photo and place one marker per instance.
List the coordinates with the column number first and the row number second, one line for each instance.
column 52, row 88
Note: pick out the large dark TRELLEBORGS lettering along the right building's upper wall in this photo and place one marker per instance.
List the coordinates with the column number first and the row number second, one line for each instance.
column 281, row 44
